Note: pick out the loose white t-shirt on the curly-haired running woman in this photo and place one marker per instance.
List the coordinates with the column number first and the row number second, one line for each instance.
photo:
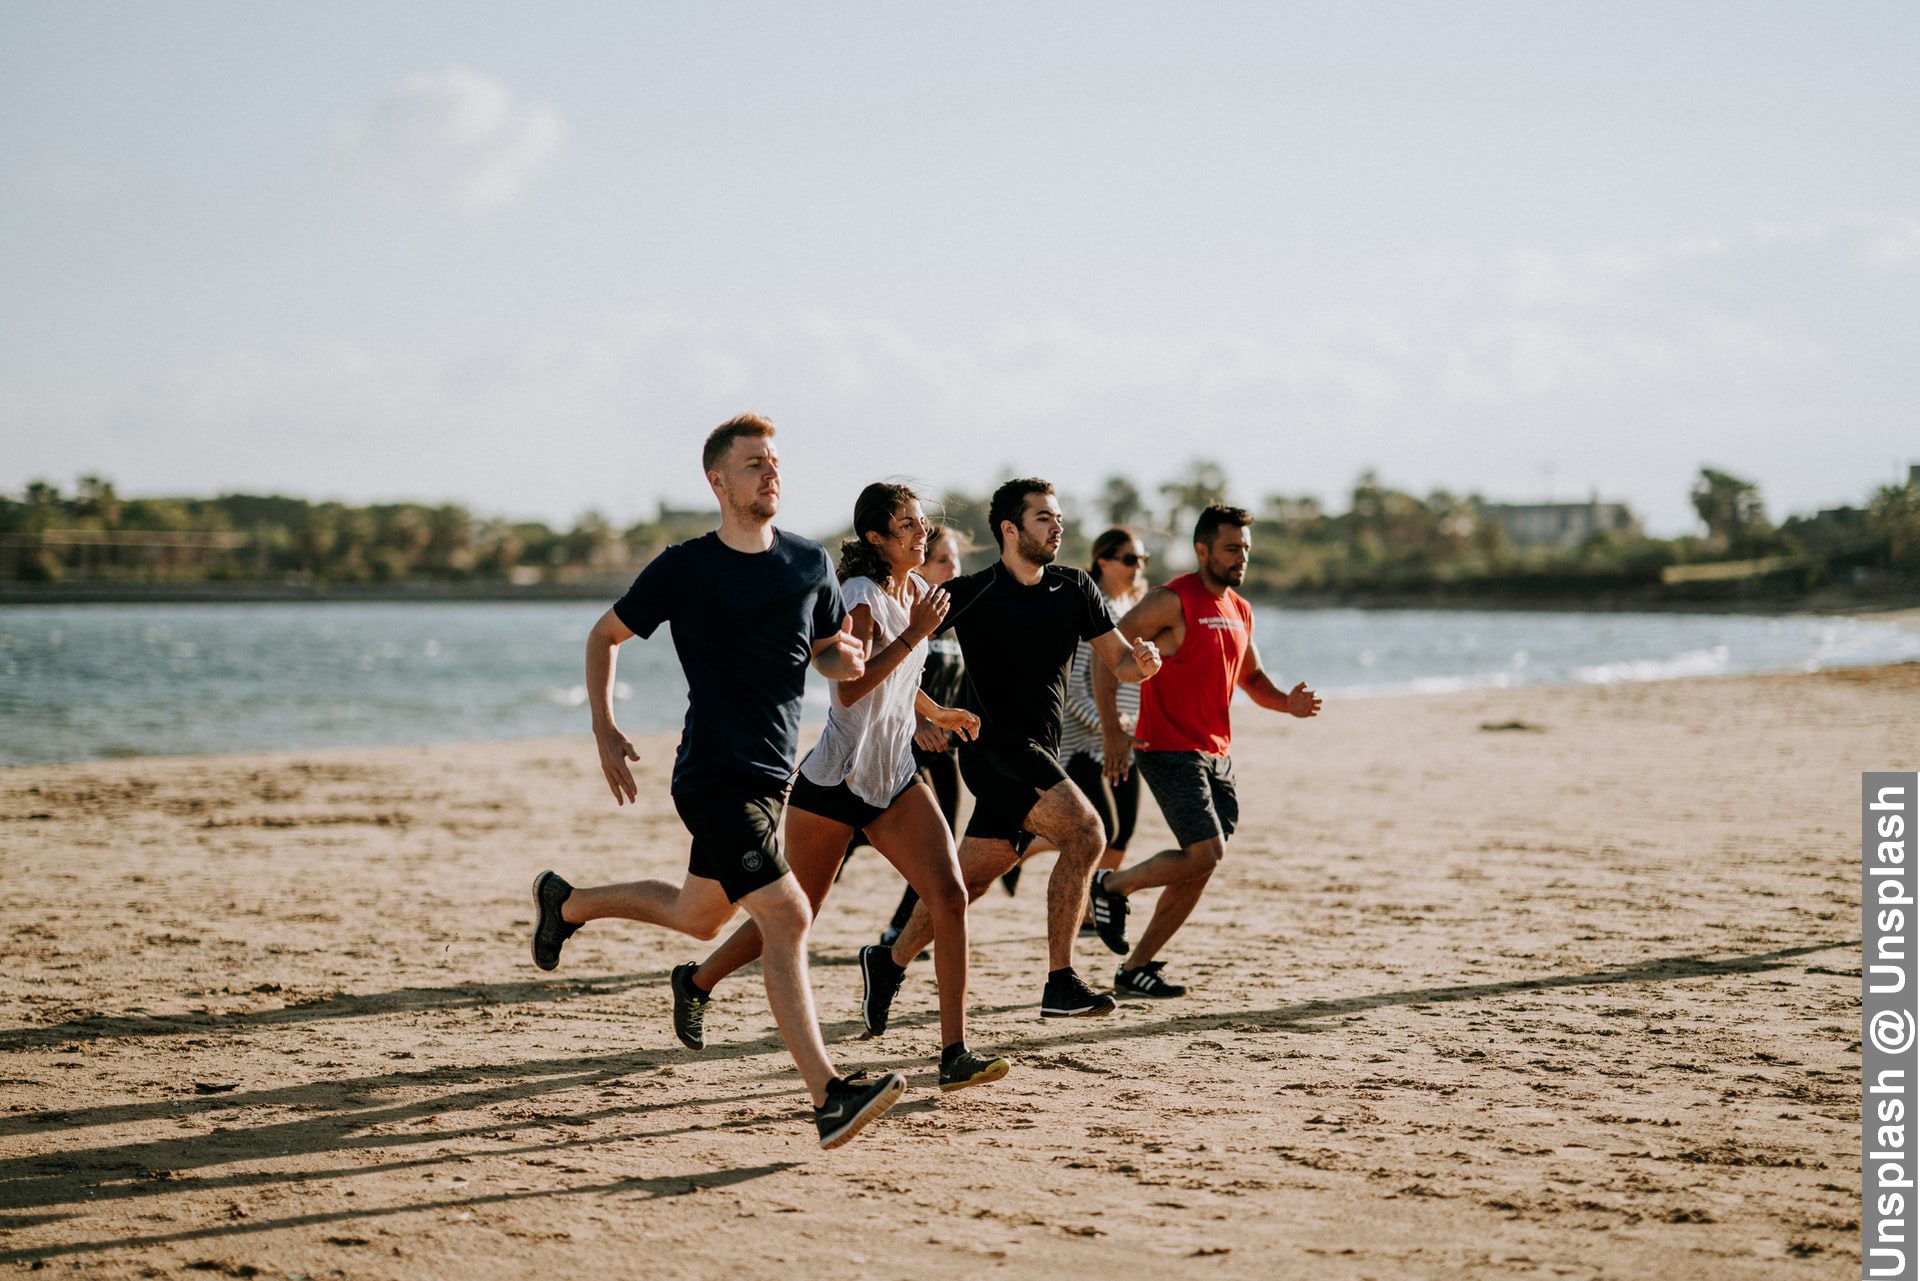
column 871, row 746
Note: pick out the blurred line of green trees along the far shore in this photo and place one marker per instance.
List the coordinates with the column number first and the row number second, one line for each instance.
column 1387, row 541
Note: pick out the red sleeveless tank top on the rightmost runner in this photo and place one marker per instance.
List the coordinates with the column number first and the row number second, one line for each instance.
column 1184, row 708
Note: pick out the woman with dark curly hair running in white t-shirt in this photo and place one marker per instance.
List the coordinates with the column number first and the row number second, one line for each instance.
column 863, row 777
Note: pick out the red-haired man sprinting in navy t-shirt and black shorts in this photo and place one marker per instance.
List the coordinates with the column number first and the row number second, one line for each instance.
column 750, row 610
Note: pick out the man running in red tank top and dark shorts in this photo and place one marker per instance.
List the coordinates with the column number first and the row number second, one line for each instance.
column 1205, row 633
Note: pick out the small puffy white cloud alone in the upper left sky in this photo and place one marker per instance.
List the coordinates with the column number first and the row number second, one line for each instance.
column 452, row 137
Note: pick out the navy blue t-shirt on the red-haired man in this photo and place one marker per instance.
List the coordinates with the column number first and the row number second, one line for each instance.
column 744, row 627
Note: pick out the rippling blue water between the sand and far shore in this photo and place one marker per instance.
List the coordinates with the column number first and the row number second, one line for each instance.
column 120, row 681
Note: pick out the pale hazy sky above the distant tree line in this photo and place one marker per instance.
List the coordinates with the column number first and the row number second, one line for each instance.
column 525, row 256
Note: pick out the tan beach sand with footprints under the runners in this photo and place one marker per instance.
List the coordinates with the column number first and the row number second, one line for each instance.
column 1568, row 998
